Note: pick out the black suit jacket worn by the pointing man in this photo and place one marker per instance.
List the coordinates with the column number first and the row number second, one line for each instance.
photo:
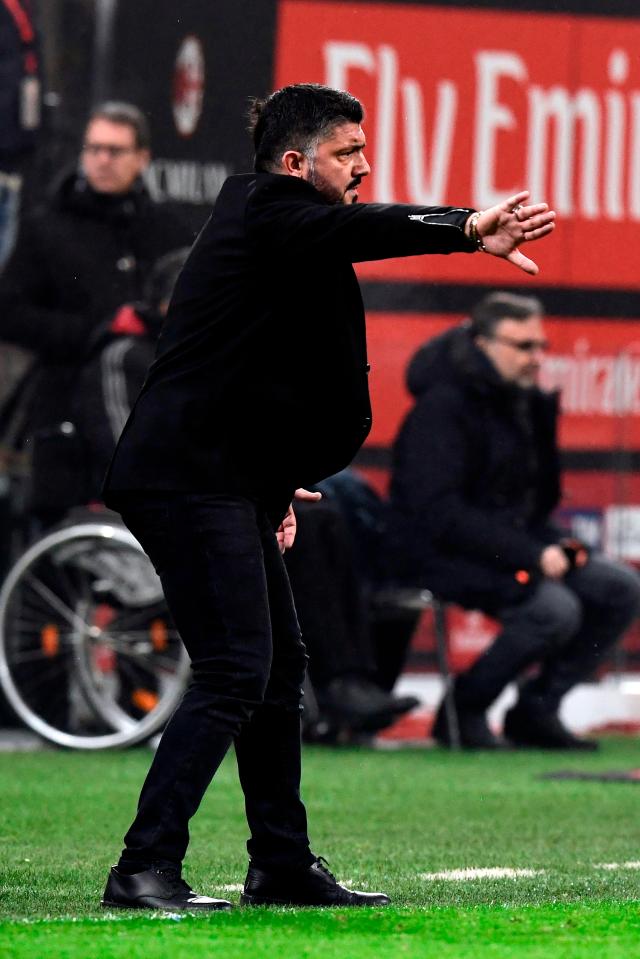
column 260, row 380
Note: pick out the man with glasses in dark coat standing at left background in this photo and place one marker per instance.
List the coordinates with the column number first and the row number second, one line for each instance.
column 76, row 262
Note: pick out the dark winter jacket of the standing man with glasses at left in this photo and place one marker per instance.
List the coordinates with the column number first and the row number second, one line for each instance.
column 76, row 261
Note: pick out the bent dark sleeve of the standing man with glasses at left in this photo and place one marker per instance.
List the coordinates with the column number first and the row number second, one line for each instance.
column 26, row 317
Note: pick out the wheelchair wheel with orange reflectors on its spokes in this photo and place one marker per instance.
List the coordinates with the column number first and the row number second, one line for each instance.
column 89, row 657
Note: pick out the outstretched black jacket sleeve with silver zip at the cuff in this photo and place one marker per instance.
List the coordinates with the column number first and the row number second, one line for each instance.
column 285, row 219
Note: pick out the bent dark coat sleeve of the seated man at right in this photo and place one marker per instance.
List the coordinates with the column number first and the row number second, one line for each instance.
column 435, row 478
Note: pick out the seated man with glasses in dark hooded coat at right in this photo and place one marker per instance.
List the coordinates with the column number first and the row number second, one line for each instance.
column 476, row 478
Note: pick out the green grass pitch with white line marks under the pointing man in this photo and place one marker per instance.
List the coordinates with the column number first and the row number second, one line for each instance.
column 425, row 826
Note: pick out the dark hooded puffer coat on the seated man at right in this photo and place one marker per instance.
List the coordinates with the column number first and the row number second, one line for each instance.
column 475, row 475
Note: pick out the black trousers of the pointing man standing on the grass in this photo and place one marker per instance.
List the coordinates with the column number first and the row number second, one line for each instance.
column 228, row 593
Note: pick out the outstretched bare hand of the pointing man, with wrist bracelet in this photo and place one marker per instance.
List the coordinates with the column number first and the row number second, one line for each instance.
column 501, row 229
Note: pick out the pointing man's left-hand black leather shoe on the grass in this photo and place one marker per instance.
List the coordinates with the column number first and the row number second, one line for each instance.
column 160, row 887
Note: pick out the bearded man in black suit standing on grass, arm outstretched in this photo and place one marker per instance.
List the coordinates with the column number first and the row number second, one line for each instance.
column 259, row 389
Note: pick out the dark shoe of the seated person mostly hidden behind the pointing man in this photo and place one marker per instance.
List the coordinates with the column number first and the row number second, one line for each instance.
column 360, row 704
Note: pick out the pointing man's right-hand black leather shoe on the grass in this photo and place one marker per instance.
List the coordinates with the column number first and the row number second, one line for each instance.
column 313, row 886
